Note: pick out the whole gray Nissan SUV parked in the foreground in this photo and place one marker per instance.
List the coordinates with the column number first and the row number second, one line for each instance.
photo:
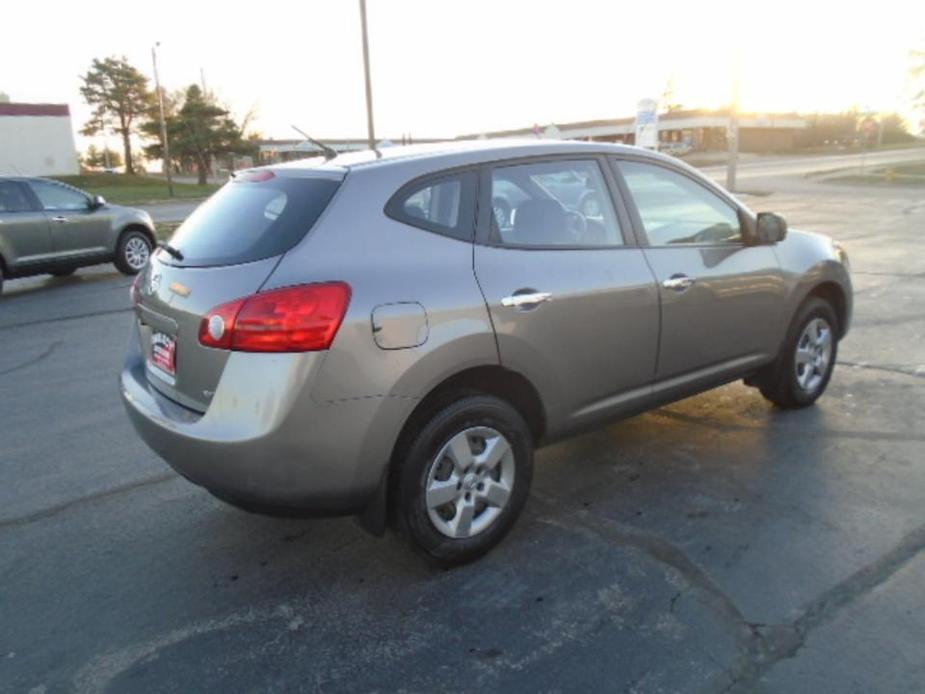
column 365, row 335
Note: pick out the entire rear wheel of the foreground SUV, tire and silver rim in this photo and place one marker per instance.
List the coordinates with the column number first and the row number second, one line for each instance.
column 464, row 479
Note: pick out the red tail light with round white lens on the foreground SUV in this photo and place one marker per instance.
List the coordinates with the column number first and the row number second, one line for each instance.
column 305, row 318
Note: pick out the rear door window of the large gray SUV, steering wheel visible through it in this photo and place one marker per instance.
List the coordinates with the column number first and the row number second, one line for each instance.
column 553, row 203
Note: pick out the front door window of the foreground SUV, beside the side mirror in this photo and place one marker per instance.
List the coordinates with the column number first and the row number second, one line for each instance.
column 676, row 210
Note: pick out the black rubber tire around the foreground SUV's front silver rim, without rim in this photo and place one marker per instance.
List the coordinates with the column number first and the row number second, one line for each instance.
column 779, row 383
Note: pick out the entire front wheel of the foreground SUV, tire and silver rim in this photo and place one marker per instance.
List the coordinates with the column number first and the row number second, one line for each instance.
column 804, row 367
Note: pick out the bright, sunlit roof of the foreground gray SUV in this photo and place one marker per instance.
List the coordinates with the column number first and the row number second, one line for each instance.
column 450, row 152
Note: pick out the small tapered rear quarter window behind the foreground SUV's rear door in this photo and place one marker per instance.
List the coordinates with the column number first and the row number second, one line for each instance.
column 444, row 204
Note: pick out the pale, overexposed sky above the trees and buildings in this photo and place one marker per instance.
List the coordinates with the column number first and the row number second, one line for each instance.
column 448, row 67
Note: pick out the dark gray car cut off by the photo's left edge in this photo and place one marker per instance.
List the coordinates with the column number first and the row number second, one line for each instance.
column 50, row 227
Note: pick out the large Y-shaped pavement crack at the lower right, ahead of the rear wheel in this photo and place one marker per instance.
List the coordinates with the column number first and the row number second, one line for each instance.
column 760, row 646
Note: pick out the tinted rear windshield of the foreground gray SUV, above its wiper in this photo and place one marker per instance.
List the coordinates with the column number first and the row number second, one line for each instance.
column 250, row 219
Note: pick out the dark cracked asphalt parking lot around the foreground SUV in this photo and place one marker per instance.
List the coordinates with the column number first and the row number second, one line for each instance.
column 714, row 545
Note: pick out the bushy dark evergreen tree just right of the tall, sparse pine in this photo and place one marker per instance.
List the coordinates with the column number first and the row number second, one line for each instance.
column 198, row 130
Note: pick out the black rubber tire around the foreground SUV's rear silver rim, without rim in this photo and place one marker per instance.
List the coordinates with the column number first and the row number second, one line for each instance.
column 413, row 468
